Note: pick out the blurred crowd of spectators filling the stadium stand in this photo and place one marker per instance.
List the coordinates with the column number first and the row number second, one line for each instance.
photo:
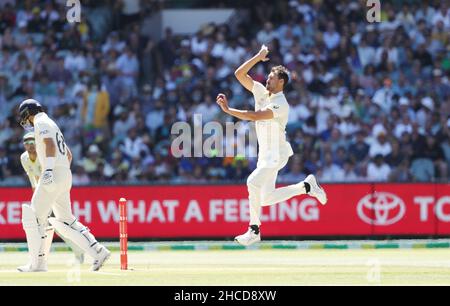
column 369, row 101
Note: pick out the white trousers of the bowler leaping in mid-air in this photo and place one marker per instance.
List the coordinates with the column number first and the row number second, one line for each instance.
column 262, row 192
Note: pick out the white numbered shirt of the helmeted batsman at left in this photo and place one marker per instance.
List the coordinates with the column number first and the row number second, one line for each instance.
column 44, row 127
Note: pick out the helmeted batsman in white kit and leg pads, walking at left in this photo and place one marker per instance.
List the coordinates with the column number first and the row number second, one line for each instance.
column 52, row 193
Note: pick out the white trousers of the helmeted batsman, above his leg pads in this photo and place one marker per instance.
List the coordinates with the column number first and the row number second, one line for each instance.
column 43, row 201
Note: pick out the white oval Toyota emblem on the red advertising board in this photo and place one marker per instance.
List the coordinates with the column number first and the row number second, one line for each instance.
column 381, row 208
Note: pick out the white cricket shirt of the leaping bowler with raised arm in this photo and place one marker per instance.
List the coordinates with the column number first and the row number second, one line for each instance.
column 272, row 143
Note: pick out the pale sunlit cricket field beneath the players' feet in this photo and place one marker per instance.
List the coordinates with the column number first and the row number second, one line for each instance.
column 244, row 267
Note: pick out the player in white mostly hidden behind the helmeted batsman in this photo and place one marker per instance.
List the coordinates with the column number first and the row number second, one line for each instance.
column 33, row 169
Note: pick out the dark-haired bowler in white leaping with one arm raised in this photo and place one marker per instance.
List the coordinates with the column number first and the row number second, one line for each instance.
column 270, row 116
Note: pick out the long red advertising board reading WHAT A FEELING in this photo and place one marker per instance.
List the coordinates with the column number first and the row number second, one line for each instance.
column 222, row 211
